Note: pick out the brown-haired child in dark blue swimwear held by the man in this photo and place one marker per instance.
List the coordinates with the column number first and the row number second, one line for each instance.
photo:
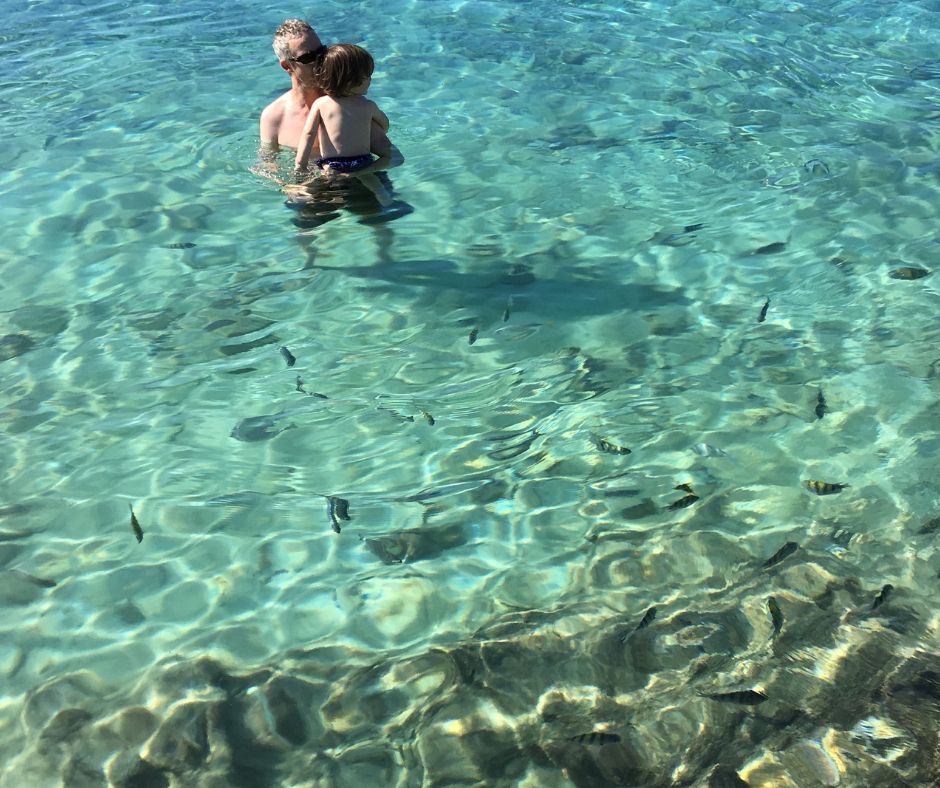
column 344, row 126
